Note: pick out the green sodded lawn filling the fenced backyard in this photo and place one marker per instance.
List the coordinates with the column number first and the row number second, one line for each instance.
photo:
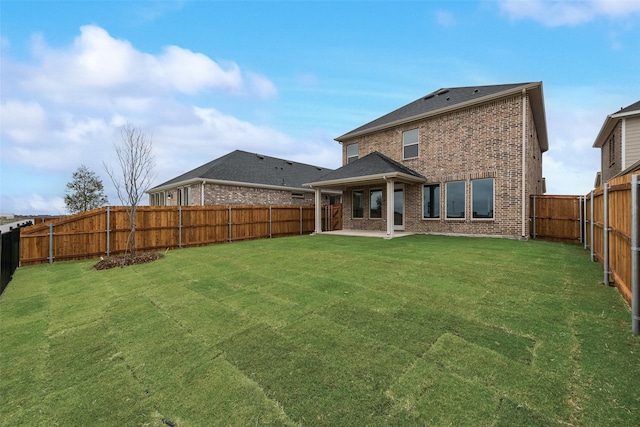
column 322, row 330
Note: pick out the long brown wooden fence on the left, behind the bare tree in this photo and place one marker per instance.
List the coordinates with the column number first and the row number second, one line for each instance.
column 105, row 231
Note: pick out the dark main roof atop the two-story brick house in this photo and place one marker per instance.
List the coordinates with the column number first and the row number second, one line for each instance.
column 440, row 99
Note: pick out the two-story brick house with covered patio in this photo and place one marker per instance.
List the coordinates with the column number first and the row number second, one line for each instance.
column 459, row 160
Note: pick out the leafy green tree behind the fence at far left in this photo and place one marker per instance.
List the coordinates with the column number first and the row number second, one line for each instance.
column 85, row 192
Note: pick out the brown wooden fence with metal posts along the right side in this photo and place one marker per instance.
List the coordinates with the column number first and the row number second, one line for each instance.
column 607, row 222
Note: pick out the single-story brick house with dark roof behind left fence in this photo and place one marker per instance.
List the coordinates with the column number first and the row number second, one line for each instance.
column 242, row 178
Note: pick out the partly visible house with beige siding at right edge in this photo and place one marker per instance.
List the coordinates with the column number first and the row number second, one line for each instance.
column 619, row 143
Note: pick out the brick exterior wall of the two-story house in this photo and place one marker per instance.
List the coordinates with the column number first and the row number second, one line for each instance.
column 482, row 141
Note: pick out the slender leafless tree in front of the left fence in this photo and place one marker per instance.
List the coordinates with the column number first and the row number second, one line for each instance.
column 136, row 162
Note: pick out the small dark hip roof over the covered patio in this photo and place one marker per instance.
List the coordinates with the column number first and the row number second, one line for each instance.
column 374, row 163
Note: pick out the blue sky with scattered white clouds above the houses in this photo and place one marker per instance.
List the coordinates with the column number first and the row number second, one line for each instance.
column 285, row 78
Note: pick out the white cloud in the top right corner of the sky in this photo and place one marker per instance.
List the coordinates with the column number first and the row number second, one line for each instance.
column 555, row 13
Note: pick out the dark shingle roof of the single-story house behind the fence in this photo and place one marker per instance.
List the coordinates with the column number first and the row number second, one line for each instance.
column 241, row 166
